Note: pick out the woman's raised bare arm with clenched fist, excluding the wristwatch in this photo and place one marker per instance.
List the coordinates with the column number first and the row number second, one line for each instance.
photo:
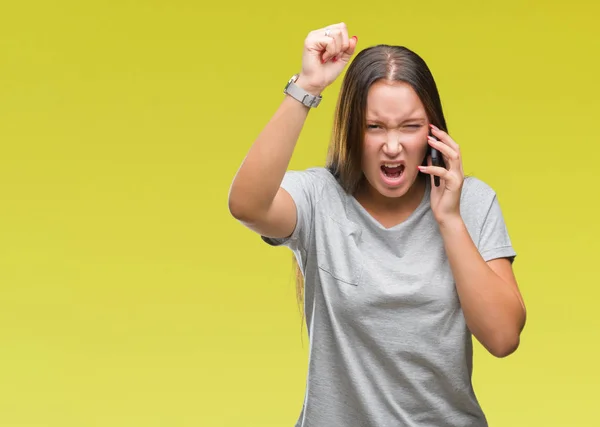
column 256, row 198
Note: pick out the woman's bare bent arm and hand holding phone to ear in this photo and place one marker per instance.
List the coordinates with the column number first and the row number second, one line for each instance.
column 488, row 292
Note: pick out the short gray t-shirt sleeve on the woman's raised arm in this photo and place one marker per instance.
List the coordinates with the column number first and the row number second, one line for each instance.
column 304, row 188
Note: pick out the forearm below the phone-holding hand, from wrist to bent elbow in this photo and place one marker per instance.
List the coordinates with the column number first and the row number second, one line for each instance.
column 492, row 309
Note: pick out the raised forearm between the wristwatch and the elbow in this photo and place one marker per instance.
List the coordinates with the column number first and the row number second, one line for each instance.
column 261, row 173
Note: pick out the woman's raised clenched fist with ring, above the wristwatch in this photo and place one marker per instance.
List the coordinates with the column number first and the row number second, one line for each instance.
column 327, row 51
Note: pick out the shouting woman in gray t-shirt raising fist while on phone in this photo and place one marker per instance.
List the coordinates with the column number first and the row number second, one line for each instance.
column 398, row 271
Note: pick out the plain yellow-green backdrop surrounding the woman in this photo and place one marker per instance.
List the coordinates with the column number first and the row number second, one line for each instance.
column 130, row 297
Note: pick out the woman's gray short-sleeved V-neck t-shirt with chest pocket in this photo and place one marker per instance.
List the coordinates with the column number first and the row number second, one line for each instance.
column 389, row 345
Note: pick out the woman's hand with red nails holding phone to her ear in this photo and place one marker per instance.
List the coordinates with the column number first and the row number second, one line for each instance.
column 445, row 199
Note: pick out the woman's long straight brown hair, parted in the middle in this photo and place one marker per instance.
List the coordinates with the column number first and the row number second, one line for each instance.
column 381, row 62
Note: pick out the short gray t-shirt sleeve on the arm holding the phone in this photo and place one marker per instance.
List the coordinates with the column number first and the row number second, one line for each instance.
column 494, row 241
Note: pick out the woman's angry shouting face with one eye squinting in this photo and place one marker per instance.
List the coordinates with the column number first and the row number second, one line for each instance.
column 395, row 140
